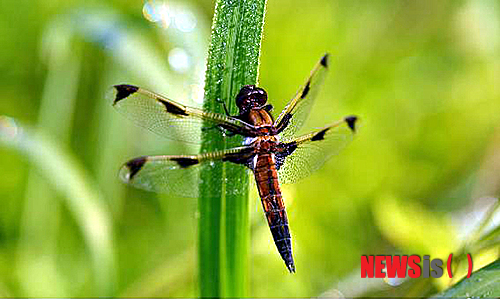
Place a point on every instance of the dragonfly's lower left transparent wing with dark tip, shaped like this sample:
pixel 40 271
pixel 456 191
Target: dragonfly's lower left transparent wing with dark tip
pixel 178 174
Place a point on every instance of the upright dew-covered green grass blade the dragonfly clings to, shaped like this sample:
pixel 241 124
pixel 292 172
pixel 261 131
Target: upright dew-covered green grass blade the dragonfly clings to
pixel 233 61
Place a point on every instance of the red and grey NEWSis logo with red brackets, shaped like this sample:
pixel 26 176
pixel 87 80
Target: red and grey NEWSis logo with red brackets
pixel 399 266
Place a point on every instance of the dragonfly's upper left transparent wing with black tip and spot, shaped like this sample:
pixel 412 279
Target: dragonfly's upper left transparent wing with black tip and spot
pixel 168 118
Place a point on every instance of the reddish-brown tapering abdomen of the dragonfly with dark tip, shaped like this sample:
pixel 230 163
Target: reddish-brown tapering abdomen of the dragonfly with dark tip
pixel 266 177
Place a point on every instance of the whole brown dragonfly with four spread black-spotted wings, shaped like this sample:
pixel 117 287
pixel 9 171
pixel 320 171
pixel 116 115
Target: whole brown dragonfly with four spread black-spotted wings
pixel 271 149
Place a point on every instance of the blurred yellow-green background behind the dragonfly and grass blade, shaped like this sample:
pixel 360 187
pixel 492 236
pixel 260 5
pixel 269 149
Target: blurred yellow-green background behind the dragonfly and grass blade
pixel 422 75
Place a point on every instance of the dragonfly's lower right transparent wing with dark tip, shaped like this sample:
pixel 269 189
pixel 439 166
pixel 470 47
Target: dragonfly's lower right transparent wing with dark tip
pixel 299 158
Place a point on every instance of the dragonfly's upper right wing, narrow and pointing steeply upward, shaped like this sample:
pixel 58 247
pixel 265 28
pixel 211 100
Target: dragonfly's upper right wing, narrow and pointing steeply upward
pixel 297 110
